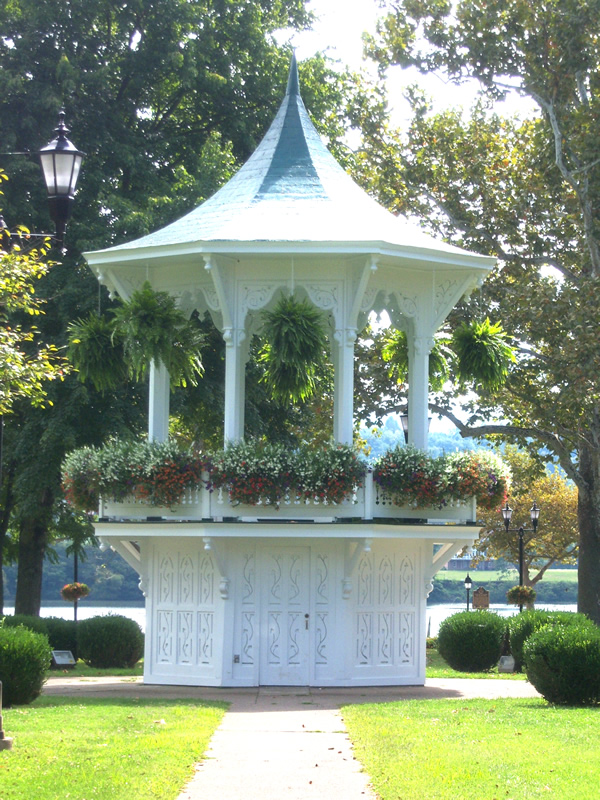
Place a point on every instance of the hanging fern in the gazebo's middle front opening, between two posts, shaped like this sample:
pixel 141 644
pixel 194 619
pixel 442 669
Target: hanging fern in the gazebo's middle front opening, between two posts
pixel 295 348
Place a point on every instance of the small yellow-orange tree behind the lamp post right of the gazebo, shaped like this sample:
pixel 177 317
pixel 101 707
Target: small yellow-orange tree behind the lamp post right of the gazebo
pixel 556 538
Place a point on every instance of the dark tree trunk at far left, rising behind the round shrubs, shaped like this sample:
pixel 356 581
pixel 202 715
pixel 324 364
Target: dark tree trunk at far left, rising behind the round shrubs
pixel 33 538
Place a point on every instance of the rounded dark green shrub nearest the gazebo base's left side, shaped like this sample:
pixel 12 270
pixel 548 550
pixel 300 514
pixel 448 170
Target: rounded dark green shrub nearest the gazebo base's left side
pixel 111 641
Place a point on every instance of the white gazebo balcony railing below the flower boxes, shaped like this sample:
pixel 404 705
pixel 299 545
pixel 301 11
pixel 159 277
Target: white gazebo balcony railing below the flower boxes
pixel 368 502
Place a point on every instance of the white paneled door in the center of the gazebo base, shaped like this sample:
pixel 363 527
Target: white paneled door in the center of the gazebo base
pixel 285 616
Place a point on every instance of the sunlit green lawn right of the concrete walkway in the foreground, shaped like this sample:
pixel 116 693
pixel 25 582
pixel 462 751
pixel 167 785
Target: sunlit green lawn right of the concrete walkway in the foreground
pixel 510 749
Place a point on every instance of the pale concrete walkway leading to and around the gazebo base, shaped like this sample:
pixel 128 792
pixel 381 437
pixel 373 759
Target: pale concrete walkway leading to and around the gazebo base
pixel 288 742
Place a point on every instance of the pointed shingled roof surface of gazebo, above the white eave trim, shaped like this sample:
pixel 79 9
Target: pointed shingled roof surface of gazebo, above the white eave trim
pixel 290 190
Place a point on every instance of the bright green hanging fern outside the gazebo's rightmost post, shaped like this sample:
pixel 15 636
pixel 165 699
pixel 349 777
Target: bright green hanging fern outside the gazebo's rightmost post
pixel 483 354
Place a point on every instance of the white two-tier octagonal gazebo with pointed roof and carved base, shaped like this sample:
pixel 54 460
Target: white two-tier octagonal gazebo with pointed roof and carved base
pixel 303 594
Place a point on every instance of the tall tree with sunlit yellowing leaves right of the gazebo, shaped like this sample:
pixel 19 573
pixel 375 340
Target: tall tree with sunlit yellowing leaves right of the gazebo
pixel 526 191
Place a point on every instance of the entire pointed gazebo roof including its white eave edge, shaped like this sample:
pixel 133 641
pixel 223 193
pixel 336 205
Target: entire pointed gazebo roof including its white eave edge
pixel 291 196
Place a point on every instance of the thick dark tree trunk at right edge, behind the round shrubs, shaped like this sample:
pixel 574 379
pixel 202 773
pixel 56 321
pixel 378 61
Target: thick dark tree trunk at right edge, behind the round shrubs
pixel 588 513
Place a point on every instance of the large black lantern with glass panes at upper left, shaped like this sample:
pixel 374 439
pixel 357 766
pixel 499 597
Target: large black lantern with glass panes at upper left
pixel 60 161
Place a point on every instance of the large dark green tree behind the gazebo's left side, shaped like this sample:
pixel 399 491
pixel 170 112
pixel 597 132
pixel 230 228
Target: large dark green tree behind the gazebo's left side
pixel 167 98
